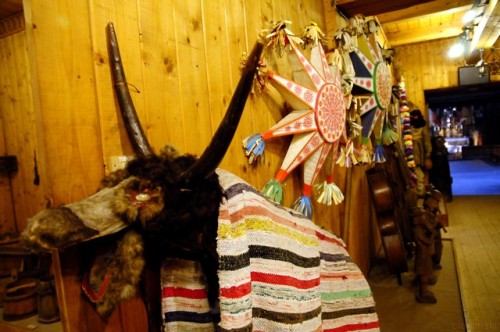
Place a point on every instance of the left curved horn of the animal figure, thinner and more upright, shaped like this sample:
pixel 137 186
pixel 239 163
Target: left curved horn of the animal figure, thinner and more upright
pixel 138 140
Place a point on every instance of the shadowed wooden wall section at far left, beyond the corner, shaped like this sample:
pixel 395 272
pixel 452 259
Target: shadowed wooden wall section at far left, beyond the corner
pixel 20 135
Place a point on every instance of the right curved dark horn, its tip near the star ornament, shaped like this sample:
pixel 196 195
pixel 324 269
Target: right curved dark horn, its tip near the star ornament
pixel 213 154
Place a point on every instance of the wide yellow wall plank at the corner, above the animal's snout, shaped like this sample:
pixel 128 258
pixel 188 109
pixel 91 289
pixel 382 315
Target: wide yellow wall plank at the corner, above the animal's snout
pixel 61 44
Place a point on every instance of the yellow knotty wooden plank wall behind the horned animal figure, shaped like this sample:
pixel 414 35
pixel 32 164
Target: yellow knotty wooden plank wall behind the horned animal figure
pixel 182 61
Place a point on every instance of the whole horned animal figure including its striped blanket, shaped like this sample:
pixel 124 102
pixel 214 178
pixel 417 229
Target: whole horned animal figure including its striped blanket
pixel 163 212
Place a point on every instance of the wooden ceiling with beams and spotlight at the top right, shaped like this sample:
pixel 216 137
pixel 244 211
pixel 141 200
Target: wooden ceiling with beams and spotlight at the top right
pixel 412 21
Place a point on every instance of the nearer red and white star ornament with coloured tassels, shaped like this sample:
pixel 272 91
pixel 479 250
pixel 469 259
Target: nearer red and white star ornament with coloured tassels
pixel 317 122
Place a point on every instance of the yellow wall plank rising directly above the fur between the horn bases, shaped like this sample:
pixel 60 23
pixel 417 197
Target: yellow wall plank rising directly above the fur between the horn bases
pixel 161 74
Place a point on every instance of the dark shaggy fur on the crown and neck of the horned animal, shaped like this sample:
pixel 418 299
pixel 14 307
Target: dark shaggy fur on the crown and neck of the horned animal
pixel 186 227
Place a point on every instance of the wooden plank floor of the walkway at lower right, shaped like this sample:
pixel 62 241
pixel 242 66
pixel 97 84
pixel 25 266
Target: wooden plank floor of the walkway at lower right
pixel 475 230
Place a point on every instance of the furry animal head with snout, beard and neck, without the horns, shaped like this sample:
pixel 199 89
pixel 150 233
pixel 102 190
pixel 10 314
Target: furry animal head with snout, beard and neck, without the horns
pixel 136 197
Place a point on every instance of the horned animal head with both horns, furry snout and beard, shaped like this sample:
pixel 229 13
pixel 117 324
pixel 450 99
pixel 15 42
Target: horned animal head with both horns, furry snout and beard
pixel 159 206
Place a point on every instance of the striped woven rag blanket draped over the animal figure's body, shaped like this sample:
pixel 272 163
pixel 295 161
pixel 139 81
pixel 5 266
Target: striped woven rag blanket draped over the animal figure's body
pixel 278 271
